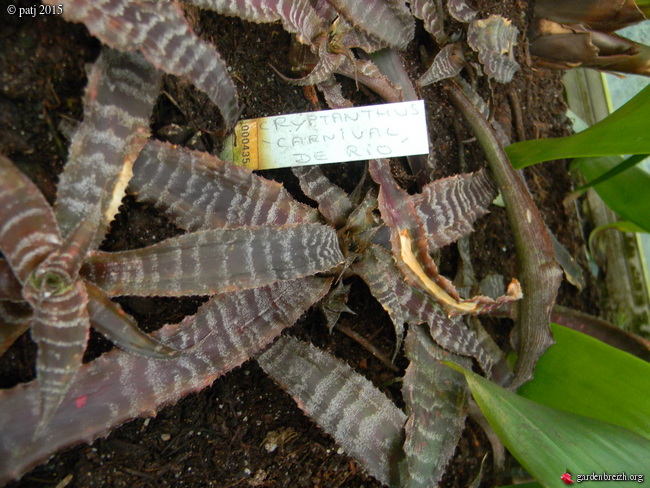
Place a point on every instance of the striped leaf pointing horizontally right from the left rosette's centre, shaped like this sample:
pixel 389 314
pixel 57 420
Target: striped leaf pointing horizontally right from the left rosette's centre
pixel 217 261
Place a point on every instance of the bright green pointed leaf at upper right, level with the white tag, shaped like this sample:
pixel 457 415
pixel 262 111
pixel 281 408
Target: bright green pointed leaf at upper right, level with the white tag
pixel 623 132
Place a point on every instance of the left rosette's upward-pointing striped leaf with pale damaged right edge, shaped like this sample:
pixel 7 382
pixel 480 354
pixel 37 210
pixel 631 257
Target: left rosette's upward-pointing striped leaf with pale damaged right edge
pixel 121 91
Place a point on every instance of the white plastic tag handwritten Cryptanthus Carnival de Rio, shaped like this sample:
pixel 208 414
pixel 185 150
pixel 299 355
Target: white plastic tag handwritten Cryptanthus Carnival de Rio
pixel 329 136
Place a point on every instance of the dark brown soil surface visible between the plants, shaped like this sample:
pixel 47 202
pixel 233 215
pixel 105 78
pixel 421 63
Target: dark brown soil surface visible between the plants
pixel 222 437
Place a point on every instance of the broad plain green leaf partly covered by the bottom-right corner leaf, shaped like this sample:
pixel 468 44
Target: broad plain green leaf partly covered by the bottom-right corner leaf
pixel 585 376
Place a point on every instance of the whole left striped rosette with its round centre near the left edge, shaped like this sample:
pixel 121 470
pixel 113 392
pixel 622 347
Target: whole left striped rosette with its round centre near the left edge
pixel 45 249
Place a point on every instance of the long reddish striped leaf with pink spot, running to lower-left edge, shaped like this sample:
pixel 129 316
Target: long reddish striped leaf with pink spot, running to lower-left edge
pixel 119 386
